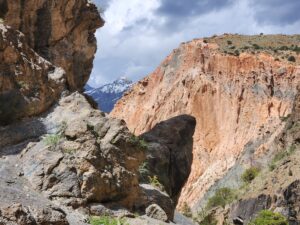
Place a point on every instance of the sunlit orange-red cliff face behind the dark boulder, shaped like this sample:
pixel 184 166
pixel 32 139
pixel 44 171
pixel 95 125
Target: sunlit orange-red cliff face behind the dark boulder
pixel 235 99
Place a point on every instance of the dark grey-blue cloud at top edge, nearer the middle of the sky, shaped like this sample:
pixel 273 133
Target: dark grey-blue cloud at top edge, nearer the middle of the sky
pixel 176 9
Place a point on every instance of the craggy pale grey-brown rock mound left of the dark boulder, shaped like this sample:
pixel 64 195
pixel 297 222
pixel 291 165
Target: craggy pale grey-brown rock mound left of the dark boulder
pixel 89 159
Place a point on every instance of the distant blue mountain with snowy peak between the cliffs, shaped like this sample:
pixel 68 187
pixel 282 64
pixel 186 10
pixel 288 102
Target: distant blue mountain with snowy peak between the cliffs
pixel 107 95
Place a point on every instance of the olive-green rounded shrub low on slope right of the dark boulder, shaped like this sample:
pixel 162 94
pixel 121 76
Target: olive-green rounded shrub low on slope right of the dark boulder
pixel 222 197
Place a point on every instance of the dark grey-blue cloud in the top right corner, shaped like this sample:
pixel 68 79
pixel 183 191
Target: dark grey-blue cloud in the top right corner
pixel 276 12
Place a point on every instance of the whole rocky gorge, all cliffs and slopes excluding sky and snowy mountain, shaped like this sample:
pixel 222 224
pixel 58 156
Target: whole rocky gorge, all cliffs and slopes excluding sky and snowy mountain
pixel 219 117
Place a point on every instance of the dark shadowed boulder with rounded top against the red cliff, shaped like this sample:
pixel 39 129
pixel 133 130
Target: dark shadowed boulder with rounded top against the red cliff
pixel 169 155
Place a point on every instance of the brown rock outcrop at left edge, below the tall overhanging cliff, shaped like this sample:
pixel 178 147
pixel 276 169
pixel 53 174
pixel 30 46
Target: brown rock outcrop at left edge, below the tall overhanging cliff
pixel 29 84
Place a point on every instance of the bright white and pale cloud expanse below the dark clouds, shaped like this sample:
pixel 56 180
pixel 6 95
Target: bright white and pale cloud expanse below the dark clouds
pixel 135 38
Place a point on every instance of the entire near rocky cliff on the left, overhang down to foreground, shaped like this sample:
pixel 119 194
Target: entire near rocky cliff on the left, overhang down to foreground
pixel 61 160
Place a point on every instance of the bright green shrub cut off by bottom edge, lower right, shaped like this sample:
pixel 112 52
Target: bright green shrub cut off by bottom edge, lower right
pixel 266 217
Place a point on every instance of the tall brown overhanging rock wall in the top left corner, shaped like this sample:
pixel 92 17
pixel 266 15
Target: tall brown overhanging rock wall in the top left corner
pixel 62 32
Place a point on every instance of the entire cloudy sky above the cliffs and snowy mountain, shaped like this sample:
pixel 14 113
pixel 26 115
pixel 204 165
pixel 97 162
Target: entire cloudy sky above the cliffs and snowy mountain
pixel 139 34
